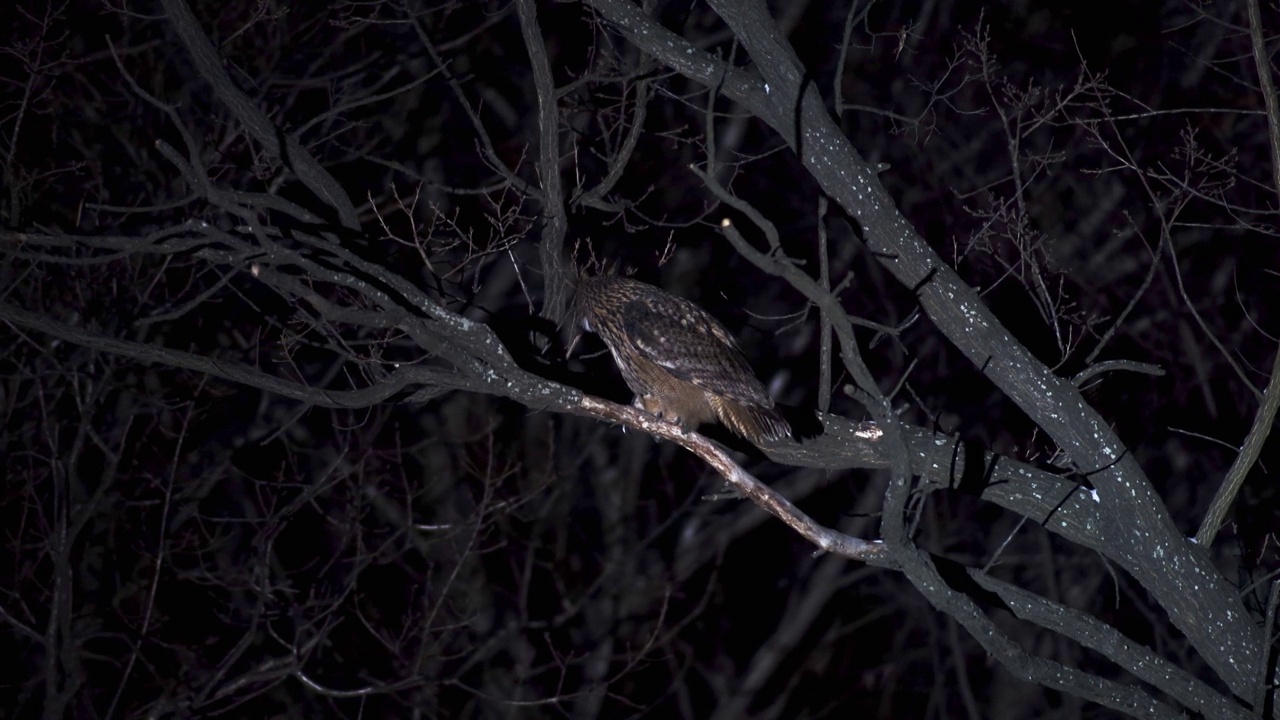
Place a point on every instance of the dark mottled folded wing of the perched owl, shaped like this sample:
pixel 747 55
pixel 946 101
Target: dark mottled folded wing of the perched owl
pixel 693 347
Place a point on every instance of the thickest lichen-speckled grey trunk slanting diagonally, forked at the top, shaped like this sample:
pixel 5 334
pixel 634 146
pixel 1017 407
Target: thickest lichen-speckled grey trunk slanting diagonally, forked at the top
pixel 1139 532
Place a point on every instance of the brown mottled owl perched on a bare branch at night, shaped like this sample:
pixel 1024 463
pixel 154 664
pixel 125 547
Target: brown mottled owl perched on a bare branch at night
pixel 679 361
